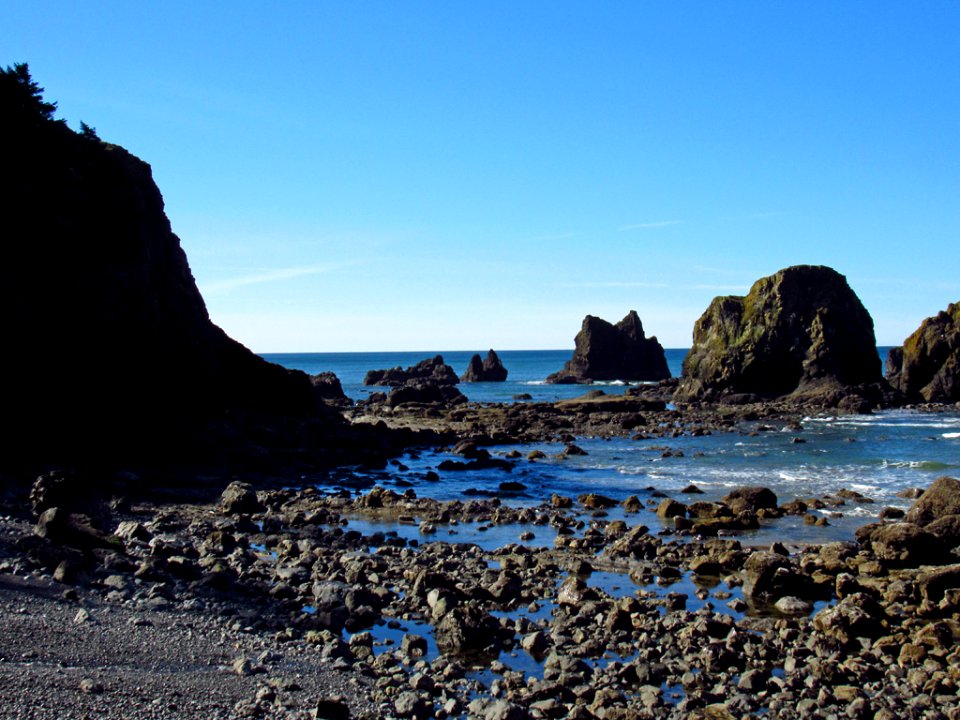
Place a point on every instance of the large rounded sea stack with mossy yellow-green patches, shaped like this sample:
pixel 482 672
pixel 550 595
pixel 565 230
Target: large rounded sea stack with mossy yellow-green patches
pixel 799 331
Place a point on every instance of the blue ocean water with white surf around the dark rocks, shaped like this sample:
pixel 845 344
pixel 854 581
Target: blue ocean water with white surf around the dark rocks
pixel 877 455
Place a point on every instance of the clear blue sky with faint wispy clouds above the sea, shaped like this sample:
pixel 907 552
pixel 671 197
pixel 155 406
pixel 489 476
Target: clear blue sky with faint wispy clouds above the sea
pixel 439 176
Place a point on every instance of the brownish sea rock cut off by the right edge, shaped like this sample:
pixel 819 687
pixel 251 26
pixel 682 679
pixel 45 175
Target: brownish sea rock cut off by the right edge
pixel 927 366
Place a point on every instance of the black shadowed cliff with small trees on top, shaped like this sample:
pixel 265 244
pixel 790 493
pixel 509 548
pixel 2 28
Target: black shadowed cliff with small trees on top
pixel 108 344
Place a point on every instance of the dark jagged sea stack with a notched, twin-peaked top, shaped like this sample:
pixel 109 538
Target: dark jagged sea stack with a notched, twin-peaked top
pixel 613 352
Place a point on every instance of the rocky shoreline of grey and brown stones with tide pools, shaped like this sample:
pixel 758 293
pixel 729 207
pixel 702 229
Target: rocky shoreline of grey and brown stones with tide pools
pixel 267 604
